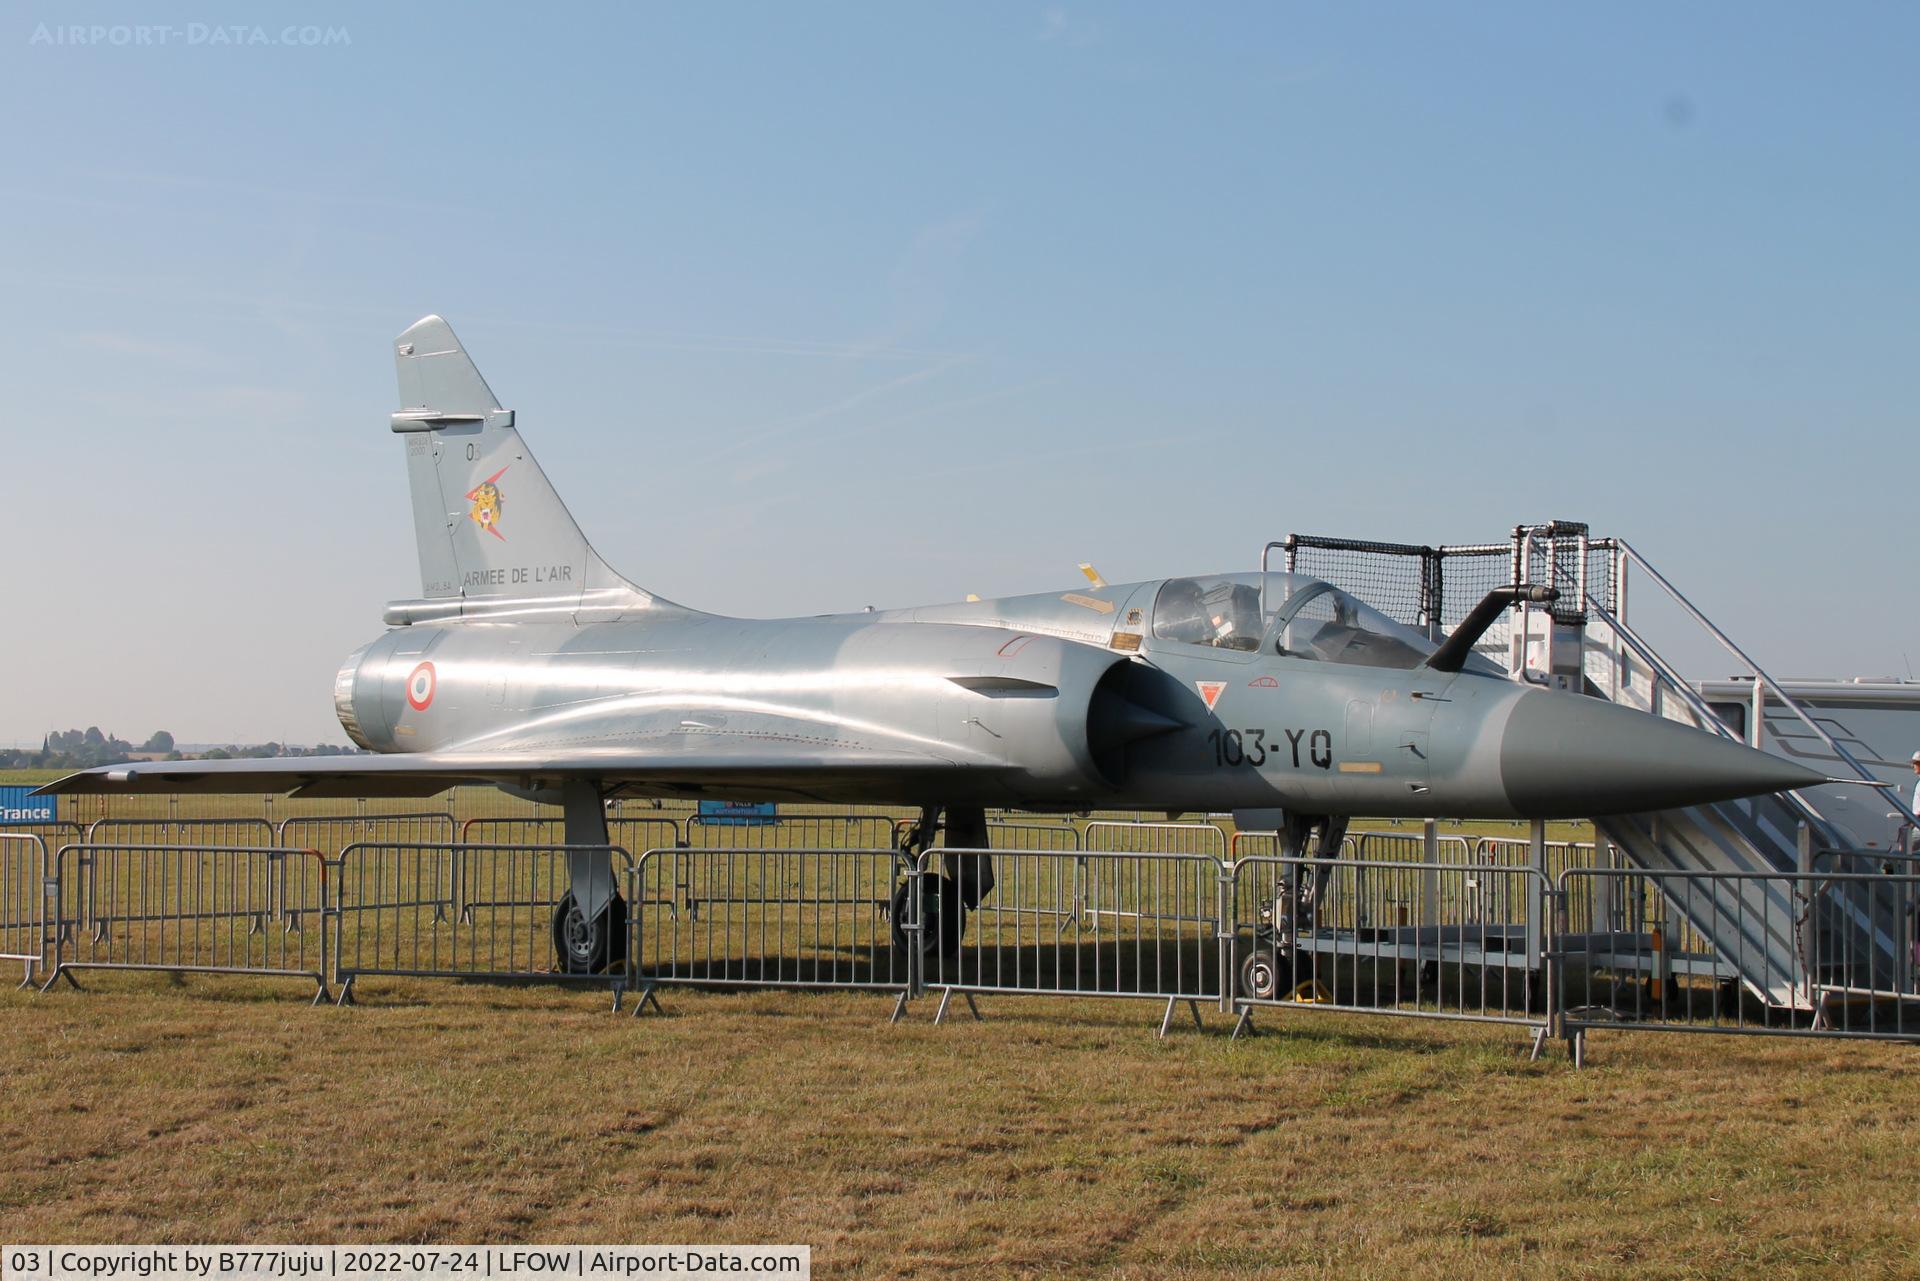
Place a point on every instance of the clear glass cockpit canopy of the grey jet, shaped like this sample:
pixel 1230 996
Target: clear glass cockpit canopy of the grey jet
pixel 1291 616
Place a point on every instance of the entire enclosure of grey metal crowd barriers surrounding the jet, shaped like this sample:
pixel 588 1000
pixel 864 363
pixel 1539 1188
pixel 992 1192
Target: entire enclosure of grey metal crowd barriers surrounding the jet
pixel 1476 934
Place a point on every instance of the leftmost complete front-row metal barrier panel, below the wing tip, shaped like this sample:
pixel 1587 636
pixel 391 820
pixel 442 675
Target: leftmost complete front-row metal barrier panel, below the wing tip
pixel 210 909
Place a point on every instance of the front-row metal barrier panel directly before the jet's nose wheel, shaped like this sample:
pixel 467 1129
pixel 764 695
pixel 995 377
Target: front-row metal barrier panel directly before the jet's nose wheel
pixel 1435 940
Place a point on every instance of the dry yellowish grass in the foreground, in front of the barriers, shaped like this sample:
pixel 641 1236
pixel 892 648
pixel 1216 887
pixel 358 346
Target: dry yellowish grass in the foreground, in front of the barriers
pixel 1055 1140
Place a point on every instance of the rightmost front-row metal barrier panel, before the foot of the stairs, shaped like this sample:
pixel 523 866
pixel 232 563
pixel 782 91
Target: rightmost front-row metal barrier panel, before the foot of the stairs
pixel 1800 954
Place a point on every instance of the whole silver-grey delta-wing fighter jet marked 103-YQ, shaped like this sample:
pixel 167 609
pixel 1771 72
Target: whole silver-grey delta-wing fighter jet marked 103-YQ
pixel 533 665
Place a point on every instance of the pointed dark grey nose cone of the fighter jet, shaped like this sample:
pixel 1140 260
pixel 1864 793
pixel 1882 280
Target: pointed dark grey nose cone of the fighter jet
pixel 1568 756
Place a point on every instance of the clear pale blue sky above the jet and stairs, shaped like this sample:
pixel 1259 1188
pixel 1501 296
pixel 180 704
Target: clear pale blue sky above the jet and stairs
pixel 821 306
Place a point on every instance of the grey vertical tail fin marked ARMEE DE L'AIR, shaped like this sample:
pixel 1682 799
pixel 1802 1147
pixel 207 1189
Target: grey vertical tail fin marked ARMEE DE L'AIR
pixel 494 537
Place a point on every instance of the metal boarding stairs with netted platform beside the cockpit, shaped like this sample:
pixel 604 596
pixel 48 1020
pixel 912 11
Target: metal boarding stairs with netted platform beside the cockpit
pixel 1744 879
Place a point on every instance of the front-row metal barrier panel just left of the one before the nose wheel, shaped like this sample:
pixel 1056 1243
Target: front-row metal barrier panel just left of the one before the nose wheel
pixel 1082 925
